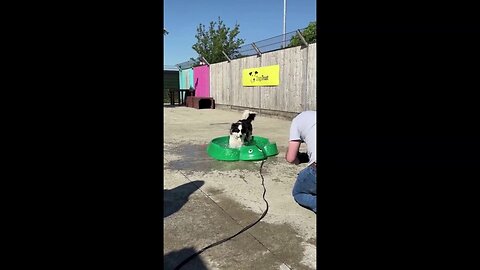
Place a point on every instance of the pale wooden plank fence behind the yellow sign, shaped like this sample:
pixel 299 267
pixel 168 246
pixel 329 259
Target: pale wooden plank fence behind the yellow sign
pixel 295 93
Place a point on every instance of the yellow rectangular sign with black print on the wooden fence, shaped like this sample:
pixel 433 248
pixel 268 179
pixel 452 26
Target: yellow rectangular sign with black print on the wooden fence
pixel 261 76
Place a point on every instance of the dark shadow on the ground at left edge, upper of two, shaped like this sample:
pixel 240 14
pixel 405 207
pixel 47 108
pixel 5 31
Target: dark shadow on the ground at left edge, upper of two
pixel 174 199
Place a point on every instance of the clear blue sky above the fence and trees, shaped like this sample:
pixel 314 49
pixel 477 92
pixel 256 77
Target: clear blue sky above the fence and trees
pixel 258 20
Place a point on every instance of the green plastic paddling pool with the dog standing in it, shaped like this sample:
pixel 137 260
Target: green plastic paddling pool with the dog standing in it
pixel 258 149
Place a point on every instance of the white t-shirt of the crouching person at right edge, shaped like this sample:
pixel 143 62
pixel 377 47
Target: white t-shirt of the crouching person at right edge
pixel 304 128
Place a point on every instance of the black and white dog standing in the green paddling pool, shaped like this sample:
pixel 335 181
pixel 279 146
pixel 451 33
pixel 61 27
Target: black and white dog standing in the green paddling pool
pixel 242 130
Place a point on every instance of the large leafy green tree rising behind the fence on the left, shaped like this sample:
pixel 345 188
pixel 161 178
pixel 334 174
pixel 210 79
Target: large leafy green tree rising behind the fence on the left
pixel 218 38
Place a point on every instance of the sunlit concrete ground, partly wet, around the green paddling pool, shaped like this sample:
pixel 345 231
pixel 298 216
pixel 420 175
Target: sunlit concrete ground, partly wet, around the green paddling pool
pixel 207 200
